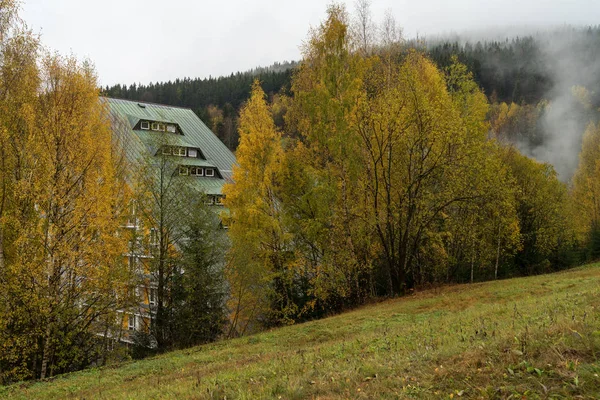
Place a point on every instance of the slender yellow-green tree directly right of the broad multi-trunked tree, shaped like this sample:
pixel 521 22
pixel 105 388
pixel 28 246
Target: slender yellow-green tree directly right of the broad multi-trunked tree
pixel 487 225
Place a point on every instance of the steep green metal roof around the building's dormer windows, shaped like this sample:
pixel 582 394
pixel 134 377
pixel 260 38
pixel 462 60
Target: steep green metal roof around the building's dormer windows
pixel 126 114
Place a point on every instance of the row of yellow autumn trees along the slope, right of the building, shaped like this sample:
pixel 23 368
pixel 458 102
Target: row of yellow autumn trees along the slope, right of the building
pixel 386 176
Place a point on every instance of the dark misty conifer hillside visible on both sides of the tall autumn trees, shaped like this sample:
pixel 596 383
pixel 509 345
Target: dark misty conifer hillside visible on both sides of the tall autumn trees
pixel 536 71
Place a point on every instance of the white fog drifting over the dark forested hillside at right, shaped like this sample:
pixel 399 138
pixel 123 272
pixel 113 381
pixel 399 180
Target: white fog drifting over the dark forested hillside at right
pixel 568 57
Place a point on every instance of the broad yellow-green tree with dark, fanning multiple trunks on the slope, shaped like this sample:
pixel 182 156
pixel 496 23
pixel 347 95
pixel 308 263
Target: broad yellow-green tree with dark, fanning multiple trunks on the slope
pixel 424 144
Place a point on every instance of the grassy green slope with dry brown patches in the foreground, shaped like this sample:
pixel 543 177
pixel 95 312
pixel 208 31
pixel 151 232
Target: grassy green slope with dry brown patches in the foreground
pixel 533 337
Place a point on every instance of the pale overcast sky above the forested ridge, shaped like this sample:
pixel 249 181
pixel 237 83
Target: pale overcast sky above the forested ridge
pixel 157 40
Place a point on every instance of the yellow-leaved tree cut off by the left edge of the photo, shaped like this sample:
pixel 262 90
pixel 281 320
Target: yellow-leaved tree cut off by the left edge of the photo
pixel 19 81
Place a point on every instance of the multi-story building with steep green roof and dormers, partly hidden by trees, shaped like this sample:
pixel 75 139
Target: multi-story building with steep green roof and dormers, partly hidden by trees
pixel 195 155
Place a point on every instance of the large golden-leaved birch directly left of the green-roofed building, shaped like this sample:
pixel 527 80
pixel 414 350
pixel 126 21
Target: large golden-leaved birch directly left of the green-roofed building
pixel 64 275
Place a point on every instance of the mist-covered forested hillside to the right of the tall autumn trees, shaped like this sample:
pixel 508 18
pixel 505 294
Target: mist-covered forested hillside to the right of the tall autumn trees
pixel 544 70
